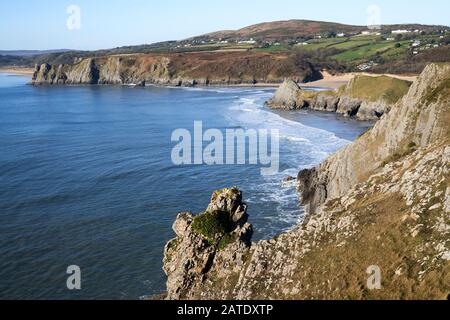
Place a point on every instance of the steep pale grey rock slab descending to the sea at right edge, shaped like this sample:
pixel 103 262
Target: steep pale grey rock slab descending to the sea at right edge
pixel 417 121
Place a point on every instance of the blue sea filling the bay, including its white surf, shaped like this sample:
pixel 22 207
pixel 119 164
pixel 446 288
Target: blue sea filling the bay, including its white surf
pixel 86 179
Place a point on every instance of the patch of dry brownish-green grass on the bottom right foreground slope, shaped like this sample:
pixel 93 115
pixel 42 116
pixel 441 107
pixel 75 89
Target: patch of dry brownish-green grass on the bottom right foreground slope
pixel 382 240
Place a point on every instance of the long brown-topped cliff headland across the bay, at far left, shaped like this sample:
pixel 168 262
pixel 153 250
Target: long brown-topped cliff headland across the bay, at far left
pixel 188 69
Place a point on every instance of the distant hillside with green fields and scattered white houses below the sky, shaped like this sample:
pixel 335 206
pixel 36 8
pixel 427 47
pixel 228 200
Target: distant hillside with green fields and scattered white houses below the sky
pixel 332 46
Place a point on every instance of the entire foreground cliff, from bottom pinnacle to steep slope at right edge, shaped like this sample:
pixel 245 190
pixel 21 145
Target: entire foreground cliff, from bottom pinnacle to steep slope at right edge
pixel 383 202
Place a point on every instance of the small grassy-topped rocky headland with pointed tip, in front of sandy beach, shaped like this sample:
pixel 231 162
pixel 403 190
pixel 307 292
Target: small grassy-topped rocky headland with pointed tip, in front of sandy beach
pixel 365 97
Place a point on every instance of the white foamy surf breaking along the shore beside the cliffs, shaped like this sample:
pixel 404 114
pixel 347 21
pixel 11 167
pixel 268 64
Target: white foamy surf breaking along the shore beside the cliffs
pixel 301 146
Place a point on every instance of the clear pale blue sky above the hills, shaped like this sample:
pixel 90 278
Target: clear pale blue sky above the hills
pixel 31 24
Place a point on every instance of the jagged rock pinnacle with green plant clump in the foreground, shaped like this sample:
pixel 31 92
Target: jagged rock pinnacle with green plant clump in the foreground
pixel 217 240
